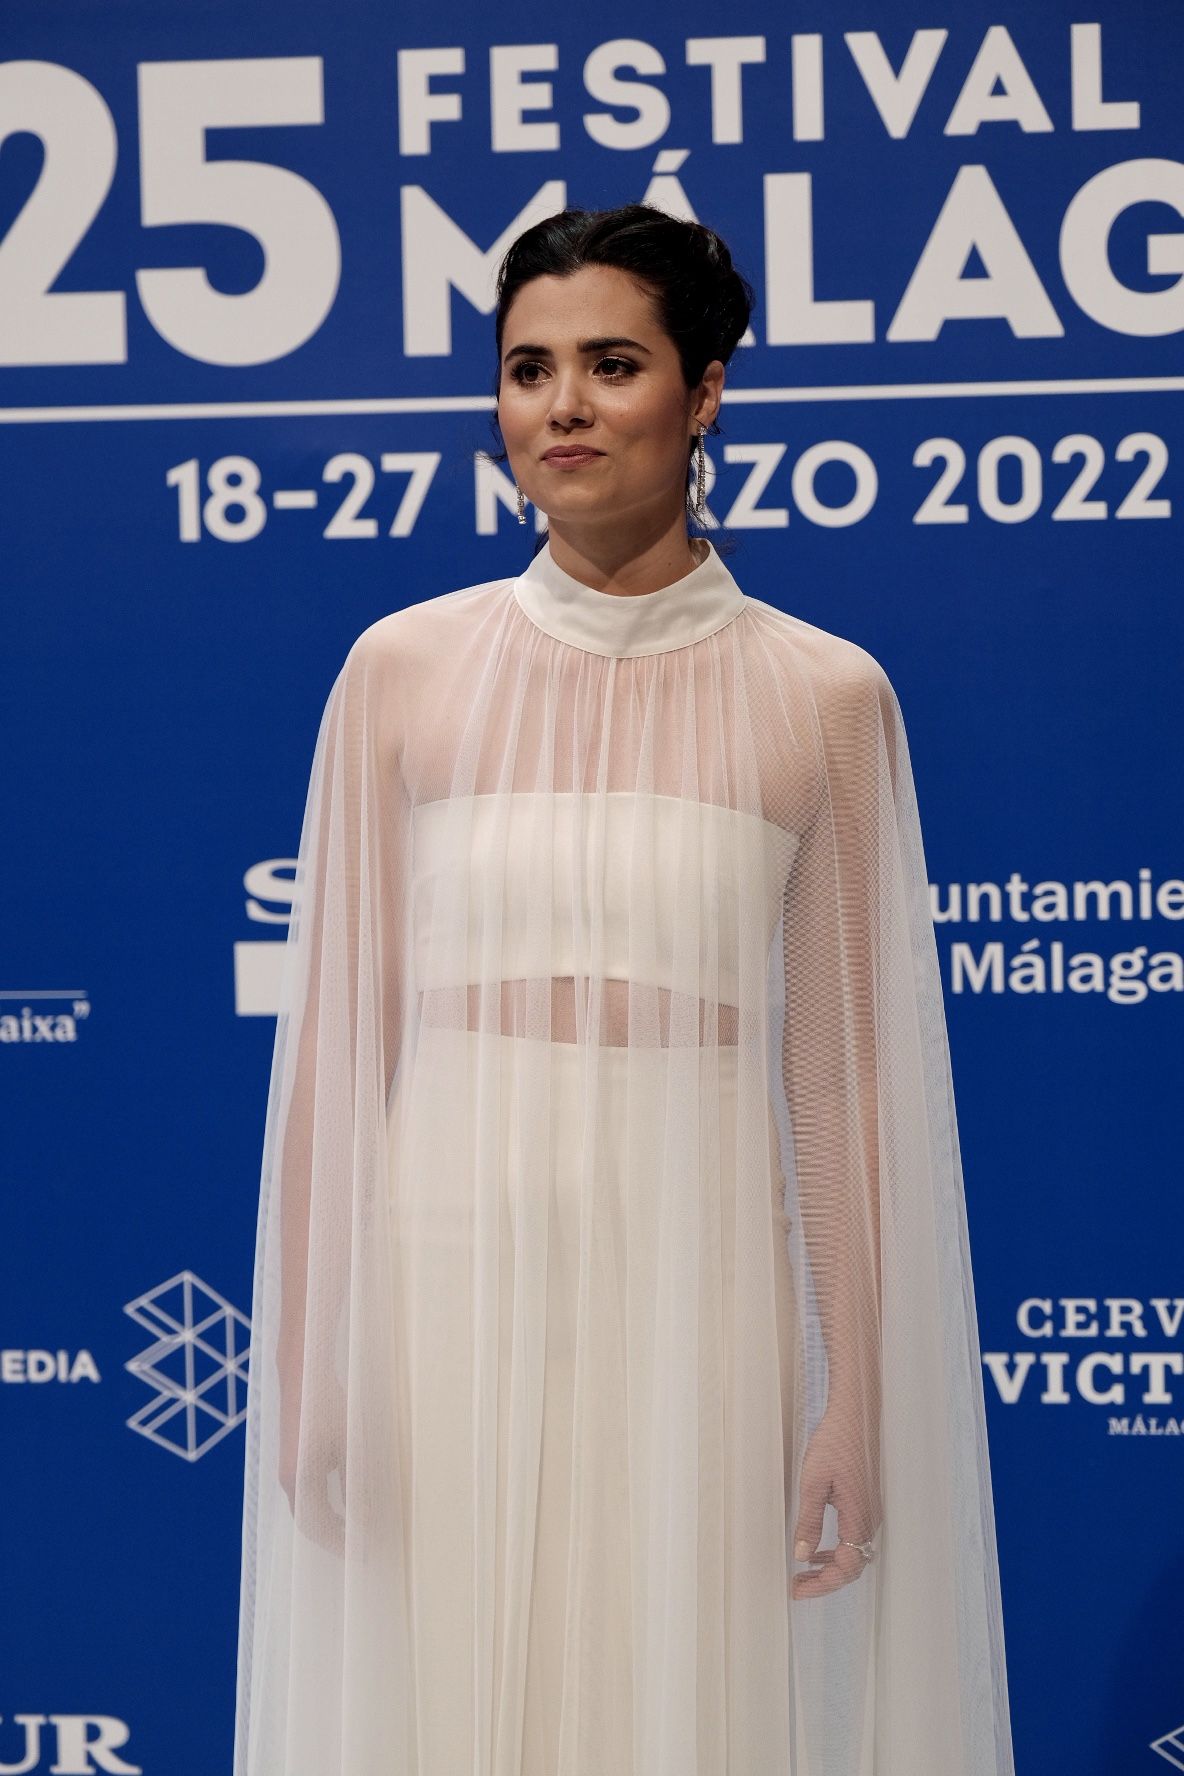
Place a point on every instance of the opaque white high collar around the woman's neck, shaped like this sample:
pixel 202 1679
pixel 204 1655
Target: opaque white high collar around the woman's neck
pixel 629 624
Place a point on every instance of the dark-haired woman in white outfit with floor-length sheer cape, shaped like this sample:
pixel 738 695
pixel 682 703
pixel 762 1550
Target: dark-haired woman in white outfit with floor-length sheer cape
pixel 617 1402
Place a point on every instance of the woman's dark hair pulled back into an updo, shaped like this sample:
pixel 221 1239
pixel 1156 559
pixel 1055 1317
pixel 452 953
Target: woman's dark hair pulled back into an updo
pixel 700 297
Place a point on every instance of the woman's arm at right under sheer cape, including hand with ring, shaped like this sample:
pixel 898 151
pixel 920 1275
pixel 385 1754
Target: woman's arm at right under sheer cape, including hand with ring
pixel 830 1063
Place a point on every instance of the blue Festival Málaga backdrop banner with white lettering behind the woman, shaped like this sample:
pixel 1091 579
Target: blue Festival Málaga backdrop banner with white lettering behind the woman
pixel 246 370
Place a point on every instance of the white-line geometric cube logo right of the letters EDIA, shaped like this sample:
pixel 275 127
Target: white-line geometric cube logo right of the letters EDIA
pixel 196 1365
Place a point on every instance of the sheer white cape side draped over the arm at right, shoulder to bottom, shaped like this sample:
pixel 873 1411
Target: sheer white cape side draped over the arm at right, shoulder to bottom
pixel 896 1420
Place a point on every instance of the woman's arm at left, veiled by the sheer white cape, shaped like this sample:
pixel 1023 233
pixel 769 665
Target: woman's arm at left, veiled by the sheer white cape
pixel 347 1017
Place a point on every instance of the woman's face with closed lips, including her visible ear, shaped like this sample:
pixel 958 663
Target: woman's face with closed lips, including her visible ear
pixel 594 408
